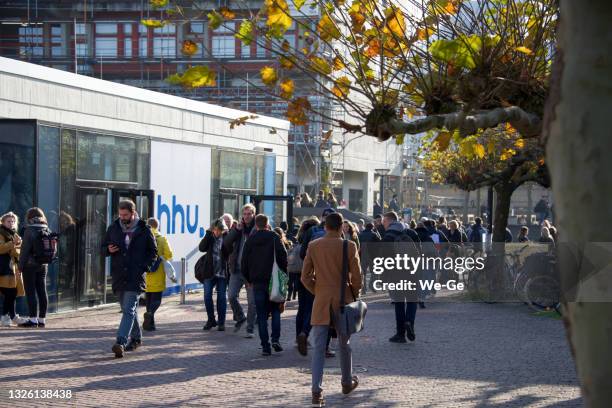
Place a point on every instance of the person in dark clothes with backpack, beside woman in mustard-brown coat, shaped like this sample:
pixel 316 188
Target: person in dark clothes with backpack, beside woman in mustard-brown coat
pixel 38 249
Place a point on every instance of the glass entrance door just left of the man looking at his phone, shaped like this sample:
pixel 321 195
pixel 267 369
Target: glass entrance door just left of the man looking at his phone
pixel 91 229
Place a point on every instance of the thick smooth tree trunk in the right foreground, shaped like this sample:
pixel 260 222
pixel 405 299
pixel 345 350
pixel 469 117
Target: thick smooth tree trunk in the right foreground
pixel 578 146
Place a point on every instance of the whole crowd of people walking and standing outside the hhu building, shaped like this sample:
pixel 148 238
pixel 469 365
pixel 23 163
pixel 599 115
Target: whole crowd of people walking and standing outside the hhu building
pixel 242 253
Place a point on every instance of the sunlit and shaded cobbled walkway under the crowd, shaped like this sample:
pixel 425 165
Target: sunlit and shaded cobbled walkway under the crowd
pixel 466 354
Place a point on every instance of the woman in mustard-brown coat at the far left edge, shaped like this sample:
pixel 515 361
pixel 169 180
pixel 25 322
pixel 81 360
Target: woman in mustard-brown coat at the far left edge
pixel 11 282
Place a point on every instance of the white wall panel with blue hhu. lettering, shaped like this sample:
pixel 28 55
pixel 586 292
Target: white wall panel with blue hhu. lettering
pixel 180 177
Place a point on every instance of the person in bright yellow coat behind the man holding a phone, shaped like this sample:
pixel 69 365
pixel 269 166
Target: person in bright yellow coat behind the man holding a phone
pixel 156 280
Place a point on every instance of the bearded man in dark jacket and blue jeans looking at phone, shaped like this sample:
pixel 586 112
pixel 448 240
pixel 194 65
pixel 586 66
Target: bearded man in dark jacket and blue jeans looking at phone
pixel 133 251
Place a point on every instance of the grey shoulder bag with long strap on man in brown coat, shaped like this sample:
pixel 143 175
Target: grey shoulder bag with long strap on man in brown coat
pixel 350 318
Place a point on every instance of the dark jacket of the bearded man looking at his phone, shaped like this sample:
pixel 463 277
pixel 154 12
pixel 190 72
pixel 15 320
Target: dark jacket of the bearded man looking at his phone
pixel 129 265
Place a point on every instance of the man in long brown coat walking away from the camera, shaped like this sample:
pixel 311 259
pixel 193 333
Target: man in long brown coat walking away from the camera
pixel 322 275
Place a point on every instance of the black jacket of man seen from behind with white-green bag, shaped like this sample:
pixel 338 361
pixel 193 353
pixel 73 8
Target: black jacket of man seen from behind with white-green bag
pixel 257 259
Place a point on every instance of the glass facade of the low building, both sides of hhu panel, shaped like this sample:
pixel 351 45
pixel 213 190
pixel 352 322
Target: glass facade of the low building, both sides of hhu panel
pixel 78 177
